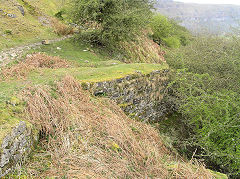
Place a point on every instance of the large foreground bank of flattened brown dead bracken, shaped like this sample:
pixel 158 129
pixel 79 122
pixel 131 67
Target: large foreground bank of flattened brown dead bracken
pixel 89 137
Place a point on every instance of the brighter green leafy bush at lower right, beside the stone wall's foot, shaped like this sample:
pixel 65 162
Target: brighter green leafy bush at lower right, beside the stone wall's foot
pixel 213 116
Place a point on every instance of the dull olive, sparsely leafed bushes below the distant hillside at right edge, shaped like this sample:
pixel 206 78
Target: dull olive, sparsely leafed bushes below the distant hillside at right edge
pixel 218 57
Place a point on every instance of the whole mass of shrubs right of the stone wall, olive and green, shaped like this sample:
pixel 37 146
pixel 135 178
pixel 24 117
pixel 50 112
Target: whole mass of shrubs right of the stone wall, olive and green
pixel 206 92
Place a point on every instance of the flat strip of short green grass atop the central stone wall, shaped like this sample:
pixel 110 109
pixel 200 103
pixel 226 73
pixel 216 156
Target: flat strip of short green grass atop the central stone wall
pixel 86 74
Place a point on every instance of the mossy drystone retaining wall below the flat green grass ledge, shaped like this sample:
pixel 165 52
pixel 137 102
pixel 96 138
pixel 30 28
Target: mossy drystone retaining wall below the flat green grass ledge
pixel 140 96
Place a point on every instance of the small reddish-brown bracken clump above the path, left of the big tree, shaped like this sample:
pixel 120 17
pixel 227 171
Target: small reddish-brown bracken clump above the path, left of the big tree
pixel 60 28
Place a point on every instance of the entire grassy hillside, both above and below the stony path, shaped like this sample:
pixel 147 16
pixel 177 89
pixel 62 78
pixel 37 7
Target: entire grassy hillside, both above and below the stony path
pixel 81 135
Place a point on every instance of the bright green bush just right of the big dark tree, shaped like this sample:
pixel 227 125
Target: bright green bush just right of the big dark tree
pixel 168 32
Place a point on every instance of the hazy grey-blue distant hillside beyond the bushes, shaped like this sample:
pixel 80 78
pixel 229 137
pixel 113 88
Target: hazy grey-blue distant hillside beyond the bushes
pixel 217 19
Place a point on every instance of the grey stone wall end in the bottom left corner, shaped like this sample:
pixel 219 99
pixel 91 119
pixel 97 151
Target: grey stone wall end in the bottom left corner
pixel 15 146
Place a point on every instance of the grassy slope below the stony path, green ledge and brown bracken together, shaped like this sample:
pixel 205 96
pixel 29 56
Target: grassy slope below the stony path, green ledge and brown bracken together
pixel 105 142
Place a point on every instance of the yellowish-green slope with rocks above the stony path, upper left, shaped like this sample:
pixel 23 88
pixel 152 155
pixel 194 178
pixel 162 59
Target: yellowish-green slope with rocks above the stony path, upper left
pixel 33 26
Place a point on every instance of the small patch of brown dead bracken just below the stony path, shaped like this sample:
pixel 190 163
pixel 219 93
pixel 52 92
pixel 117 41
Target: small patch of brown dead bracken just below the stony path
pixel 34 61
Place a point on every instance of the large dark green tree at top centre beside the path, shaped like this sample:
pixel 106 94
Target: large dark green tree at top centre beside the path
pixel 111 21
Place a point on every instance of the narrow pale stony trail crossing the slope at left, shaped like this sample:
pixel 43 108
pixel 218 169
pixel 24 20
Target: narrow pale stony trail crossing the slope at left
pixel 14 53
